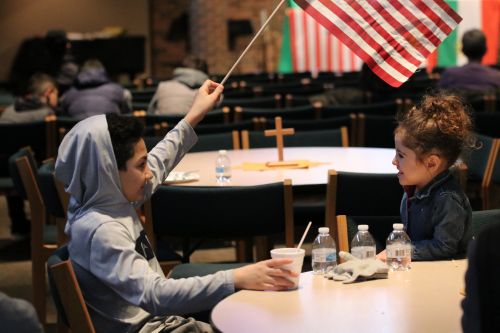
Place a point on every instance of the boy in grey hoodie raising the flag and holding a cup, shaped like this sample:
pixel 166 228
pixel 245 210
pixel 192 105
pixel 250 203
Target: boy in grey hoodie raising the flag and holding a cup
pixel 104 166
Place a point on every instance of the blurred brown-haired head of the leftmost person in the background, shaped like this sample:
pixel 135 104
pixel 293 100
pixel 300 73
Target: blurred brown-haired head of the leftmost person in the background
pixel 42 88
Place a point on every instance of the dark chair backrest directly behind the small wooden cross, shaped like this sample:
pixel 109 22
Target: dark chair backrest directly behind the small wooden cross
pixel 320 138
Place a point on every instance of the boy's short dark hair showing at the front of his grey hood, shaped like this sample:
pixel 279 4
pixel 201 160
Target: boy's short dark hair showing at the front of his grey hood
pixel 125 132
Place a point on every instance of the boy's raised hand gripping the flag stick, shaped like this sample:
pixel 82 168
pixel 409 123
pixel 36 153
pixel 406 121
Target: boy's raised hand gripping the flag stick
pixel 204 101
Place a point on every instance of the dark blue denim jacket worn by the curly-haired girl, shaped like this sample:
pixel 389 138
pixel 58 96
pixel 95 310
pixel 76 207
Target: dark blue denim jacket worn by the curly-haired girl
pixel 438 219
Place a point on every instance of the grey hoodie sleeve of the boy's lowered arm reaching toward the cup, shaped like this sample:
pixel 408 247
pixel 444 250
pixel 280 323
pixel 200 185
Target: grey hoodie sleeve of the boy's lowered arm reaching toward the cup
pixel 117 263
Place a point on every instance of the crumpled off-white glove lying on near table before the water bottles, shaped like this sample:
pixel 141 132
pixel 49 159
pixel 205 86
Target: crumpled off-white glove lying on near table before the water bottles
pixel 354 269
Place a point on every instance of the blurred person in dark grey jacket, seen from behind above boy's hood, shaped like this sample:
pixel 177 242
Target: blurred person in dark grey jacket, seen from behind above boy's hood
pixel 93 93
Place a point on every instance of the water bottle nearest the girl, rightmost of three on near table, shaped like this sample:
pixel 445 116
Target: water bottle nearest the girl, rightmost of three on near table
pixel 398 249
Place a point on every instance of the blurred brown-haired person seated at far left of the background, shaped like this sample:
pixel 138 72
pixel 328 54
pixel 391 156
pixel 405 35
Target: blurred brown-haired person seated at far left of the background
pixel 39 101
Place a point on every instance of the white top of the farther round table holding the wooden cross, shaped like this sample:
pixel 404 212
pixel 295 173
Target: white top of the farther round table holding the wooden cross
pixel 352 159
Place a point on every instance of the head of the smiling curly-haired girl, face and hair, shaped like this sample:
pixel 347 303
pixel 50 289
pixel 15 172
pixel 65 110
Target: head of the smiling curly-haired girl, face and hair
pixel 430 138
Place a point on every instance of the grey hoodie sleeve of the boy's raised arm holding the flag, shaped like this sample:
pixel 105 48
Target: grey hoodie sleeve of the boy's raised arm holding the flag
pixel 169 151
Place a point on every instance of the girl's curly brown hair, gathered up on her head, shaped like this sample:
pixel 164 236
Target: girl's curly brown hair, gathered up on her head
pixel 440 124
